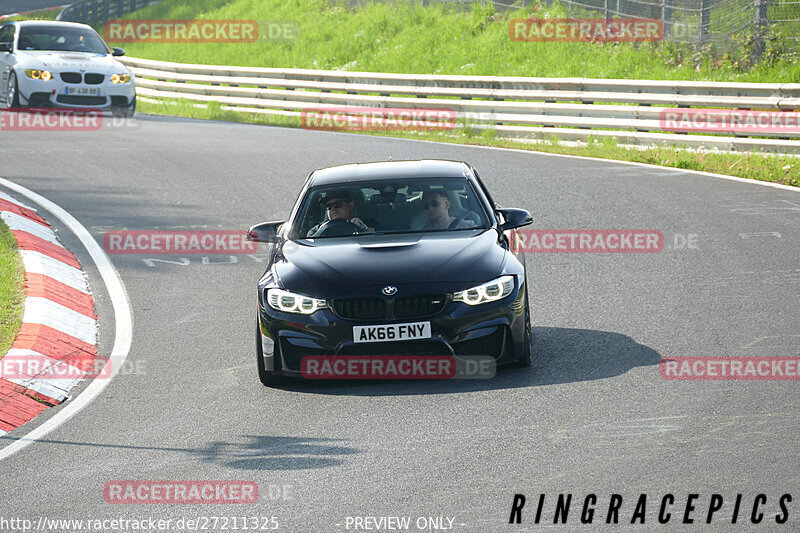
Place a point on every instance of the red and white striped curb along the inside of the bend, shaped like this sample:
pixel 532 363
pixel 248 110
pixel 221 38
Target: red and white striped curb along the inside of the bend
pixel 59 324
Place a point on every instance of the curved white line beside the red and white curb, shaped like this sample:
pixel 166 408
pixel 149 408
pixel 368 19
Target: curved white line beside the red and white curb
pixel 123 320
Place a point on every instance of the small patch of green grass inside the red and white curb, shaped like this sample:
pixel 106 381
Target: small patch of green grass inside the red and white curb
pixel 12 289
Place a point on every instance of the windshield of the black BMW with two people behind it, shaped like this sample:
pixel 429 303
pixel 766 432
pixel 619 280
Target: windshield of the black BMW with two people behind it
pixel 390 207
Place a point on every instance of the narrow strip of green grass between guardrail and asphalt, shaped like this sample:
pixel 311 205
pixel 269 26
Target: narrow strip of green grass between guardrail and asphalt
pixel 771 168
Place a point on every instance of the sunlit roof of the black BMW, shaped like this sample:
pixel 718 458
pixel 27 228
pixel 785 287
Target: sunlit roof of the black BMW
pixel 425 168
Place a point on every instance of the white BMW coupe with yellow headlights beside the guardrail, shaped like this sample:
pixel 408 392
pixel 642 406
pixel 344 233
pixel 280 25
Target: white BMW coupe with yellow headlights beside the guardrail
pixel 64 65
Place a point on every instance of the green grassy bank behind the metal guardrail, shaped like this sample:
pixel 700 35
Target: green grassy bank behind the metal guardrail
pixel 399 37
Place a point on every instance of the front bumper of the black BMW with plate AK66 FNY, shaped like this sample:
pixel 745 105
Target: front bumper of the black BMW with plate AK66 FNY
pixel 495 329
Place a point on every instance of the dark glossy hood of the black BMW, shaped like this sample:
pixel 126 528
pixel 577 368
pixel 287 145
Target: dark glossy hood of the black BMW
pixel 326 266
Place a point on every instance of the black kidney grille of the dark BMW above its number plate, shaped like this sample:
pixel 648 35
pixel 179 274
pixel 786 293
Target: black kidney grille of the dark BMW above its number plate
pixel 375 308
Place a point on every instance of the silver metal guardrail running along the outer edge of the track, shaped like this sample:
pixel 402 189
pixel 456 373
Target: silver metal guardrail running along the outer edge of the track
pixel 572 109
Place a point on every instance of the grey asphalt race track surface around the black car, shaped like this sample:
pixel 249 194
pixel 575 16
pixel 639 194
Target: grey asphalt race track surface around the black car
pixel 592 415
